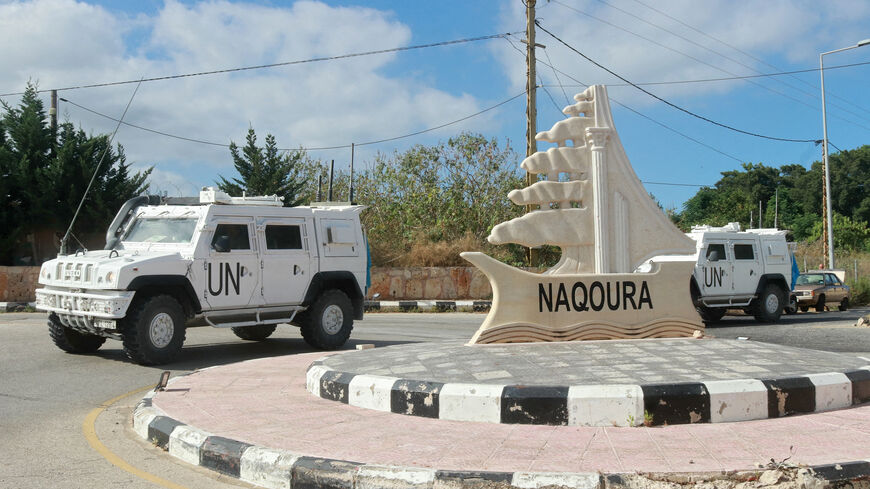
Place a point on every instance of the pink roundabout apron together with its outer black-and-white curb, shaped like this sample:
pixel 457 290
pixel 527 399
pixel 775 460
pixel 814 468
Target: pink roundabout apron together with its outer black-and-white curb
pixel 255 420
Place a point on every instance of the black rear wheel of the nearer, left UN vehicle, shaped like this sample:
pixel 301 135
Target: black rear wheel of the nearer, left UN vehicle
pixel 329 321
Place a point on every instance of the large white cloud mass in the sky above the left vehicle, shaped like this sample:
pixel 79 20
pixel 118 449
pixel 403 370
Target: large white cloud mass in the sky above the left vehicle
pixel 65 42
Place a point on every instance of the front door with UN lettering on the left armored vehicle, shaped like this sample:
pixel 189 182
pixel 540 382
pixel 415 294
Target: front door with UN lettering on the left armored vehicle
pixel 232 269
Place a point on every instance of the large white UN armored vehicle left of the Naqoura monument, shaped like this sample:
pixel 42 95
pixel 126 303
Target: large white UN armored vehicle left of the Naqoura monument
pixel 245 263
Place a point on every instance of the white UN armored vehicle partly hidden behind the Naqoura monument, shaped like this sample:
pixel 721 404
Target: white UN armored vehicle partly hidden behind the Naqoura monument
pixel 750 270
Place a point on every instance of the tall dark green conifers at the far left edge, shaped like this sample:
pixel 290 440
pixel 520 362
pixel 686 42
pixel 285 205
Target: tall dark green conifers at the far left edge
pixel 43 179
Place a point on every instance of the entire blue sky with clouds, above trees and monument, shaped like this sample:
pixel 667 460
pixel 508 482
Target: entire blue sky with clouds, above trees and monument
pixel 62 43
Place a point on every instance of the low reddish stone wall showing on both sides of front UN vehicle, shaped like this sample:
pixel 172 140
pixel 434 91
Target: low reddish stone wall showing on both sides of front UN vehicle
pixel 17 284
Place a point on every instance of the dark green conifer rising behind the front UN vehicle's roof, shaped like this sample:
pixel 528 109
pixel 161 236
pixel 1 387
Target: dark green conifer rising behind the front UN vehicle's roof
pixel 265 171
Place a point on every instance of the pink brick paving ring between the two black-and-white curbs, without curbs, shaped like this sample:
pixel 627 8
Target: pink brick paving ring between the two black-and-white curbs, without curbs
pixel 265 403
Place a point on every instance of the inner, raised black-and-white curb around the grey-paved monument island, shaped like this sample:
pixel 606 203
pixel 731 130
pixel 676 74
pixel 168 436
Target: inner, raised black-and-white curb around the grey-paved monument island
pixel 594 405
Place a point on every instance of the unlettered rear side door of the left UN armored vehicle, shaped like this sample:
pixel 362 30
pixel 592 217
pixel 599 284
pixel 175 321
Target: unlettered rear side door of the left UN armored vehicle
pixel 285 261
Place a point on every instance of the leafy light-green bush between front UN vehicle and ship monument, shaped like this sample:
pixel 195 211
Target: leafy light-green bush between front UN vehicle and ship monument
pixel 438 194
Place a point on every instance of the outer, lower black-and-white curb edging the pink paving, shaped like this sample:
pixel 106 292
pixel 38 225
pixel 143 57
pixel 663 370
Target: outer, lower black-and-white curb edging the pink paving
pixel 271 468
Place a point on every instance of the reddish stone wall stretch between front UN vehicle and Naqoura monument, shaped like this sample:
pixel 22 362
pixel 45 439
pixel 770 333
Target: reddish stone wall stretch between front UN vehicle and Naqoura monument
pixel 440 283
